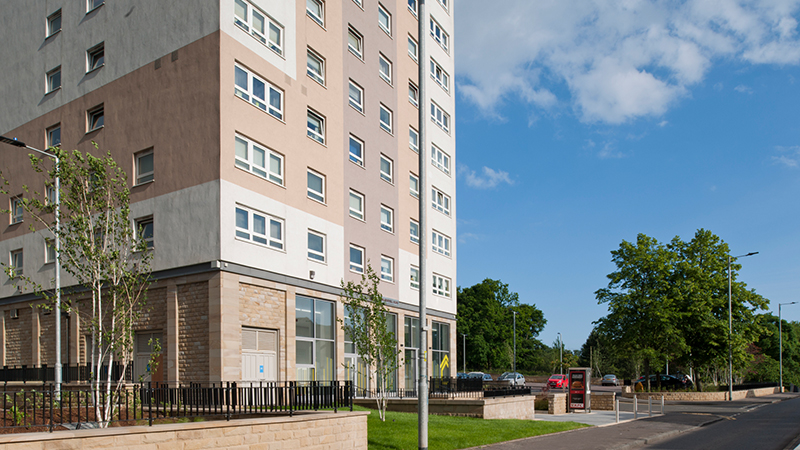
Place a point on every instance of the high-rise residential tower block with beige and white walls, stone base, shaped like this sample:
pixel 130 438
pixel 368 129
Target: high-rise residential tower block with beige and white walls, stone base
pixel 271 149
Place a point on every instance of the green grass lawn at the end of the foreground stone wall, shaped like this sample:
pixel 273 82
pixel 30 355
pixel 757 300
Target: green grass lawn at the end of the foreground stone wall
pixel 399 432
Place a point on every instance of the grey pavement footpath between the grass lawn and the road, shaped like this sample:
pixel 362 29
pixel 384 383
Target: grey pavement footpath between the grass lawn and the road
pixel 606 434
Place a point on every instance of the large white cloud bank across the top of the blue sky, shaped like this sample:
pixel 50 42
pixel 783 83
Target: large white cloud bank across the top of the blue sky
pixel 619 60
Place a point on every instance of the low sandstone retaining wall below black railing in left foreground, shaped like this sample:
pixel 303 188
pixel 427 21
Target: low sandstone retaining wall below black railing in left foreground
pixel 317 431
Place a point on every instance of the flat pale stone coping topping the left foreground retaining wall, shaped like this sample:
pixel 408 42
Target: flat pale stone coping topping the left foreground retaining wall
pixel 20 438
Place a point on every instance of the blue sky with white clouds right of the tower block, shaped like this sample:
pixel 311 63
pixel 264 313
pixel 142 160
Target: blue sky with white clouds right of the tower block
pixel 581 124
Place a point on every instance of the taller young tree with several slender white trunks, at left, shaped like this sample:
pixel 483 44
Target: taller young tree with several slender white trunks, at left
pixel 105 254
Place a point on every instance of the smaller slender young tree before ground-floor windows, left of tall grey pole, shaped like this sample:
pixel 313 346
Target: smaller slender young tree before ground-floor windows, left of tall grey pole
pixel 368 329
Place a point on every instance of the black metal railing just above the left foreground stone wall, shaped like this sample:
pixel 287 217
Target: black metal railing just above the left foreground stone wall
pixel 72 408
